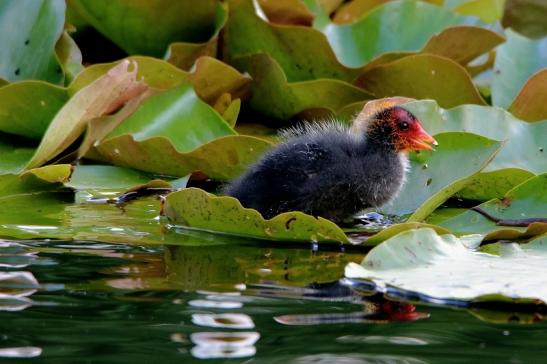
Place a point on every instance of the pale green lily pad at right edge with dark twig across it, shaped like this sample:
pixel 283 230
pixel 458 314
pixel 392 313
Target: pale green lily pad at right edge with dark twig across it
pixel 527 200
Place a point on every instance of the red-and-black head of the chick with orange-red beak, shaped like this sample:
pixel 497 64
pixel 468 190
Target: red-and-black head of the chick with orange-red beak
pixel 388 124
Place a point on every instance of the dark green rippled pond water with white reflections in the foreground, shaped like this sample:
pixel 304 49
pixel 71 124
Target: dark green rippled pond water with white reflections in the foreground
pixel 198 297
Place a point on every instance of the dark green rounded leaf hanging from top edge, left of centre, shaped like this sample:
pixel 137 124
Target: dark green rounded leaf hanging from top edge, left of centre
pixel 181 20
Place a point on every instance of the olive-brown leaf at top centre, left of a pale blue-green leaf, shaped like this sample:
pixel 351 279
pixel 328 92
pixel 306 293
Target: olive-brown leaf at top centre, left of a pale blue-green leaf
pixel 294 48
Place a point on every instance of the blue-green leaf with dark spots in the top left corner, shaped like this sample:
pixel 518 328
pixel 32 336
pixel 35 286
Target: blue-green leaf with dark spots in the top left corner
pixel 29 30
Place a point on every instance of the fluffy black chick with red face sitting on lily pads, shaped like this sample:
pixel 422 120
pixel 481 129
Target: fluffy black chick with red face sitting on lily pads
pixel 333 170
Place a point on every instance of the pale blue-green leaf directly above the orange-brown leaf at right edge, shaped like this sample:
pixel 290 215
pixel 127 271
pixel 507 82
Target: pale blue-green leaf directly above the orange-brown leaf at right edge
pixel 516 60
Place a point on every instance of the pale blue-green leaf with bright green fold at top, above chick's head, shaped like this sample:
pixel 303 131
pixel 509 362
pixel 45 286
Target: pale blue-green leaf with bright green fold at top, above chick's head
pixel 401 25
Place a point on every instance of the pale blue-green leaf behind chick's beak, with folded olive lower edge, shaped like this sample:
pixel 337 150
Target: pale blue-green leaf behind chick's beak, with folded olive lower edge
pixel 522 155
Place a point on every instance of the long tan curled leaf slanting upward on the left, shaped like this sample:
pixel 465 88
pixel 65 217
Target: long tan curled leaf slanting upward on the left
pixel 104 95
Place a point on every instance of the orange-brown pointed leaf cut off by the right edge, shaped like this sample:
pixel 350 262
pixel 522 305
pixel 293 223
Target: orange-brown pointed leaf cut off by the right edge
pixel 529 105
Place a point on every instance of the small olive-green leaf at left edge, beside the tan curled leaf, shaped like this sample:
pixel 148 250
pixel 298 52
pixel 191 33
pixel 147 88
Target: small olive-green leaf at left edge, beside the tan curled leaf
pixel 28 107
